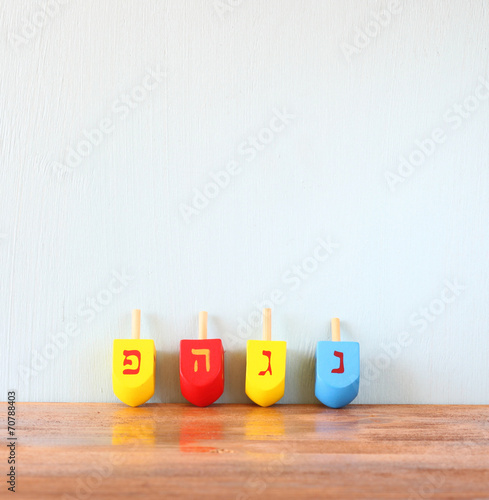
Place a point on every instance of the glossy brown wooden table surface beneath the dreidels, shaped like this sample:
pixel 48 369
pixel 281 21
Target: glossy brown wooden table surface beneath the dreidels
pixel 242 451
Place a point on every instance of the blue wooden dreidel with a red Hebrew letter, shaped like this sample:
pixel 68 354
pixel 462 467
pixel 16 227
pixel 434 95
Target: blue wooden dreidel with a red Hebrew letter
pixel 337 370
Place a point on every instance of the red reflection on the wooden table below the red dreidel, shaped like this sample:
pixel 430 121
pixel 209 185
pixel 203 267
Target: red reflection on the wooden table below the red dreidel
pixel 198 426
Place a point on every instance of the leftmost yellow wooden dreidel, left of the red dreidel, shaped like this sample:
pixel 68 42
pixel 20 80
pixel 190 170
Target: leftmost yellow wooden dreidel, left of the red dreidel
pixel 133 366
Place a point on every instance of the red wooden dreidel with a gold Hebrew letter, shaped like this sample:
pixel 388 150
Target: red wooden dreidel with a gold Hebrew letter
pixel 202 367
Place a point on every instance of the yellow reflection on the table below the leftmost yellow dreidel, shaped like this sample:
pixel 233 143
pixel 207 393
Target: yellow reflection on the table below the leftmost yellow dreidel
pixel 133 425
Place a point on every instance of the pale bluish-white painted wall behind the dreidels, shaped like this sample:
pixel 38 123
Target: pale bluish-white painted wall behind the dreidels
pixel 359 103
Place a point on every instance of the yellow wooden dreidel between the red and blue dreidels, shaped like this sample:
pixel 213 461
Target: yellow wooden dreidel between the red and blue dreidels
pixel 265 366
